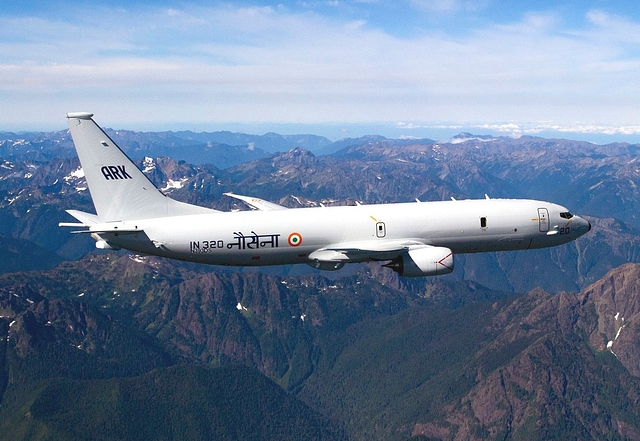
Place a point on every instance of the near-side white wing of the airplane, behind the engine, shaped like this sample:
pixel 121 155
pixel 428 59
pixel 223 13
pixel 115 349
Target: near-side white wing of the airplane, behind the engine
pixel 364 251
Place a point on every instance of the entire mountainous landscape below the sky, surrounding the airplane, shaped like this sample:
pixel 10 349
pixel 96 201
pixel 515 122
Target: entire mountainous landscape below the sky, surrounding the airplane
pixel 522 345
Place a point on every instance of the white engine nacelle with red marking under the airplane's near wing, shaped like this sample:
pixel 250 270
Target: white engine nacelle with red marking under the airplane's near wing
pixel 423 261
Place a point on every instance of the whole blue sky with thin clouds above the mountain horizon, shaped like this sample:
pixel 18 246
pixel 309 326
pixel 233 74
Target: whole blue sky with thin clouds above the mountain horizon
pixel 402 68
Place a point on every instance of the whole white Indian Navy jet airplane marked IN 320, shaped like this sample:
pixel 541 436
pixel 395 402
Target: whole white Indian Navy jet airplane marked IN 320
pixel 414 239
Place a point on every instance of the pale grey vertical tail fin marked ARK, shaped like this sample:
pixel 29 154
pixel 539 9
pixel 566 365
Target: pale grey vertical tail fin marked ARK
pixel 120 191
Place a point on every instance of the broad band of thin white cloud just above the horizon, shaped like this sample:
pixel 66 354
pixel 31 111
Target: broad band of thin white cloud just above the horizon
pixel 273 64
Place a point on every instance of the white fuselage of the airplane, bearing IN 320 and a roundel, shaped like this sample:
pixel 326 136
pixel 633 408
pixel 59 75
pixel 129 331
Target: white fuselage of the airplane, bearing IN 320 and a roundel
pixel 292 236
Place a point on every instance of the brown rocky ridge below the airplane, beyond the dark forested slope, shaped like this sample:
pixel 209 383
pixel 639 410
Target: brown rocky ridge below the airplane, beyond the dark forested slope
pixel 448 360
